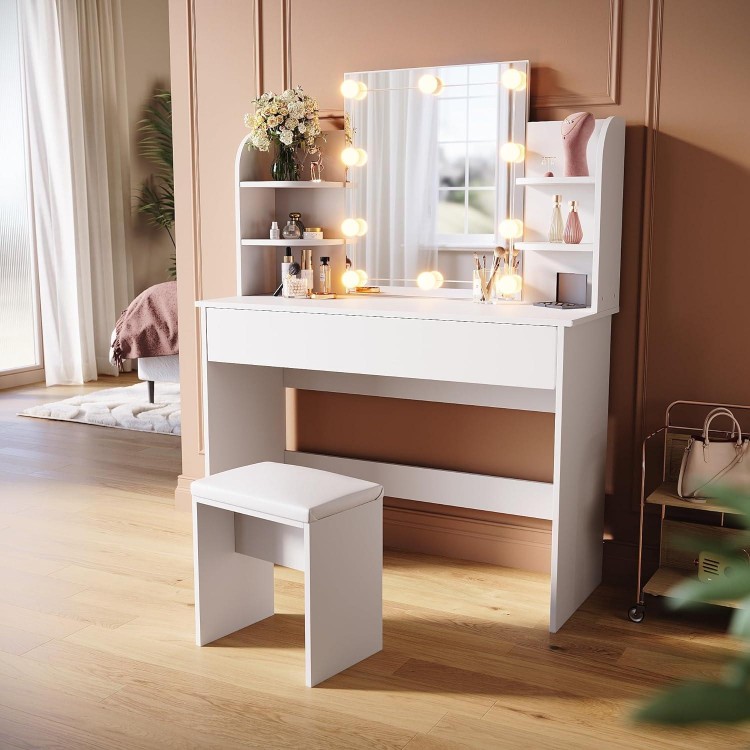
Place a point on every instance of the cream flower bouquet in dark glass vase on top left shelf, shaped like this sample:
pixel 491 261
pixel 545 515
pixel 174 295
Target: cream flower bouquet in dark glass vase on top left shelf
pixel 289 121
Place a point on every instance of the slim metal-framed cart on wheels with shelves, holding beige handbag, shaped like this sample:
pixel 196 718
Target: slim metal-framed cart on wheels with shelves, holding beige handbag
pixel 675 563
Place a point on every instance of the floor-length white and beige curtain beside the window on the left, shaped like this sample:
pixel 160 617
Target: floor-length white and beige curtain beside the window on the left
pixel 77 142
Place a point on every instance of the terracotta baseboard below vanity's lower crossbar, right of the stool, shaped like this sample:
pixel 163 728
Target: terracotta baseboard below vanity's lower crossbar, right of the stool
pixel 494 538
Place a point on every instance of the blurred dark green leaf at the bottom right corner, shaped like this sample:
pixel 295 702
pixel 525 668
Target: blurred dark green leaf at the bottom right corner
pixel 695 702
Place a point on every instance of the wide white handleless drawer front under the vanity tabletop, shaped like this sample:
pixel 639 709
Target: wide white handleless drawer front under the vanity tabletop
pixel 462 352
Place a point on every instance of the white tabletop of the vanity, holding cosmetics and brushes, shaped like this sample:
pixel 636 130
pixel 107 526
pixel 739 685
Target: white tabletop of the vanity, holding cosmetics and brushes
pixel 427 308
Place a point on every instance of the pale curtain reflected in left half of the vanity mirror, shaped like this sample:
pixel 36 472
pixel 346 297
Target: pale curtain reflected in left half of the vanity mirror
pixel 400 188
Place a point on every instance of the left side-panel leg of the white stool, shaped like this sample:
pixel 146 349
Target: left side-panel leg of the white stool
pixel 232 590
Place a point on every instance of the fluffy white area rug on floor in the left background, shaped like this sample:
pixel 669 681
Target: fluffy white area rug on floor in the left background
pixel 126 408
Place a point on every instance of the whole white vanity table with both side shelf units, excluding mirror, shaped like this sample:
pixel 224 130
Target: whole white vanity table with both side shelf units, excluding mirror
pixel 515 356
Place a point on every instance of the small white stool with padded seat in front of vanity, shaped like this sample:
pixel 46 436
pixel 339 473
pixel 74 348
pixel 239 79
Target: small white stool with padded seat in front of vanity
pixel 327 525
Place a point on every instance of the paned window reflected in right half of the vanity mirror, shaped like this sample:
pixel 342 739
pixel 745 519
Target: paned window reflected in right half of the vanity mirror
pixel 467 155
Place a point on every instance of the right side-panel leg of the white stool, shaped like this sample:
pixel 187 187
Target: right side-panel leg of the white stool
pixel 343 590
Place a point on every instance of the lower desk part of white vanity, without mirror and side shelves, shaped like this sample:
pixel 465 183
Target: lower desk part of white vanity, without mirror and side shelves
pixel 514 356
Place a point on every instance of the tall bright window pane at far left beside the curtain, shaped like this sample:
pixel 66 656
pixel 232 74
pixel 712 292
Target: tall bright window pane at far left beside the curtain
pixel 19 340
